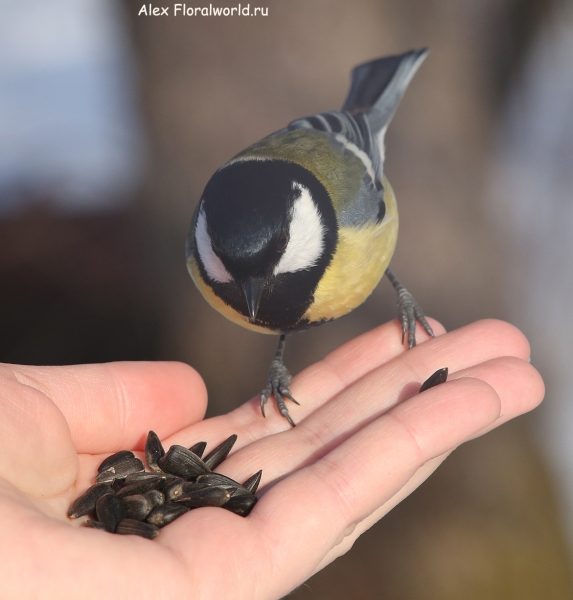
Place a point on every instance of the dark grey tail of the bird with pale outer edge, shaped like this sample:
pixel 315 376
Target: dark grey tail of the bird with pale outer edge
pixel 378 86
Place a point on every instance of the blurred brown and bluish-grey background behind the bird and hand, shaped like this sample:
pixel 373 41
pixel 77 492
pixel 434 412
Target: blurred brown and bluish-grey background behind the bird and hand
pixel 111 123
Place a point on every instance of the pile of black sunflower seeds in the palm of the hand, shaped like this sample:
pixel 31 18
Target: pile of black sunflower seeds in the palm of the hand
pixel 127 499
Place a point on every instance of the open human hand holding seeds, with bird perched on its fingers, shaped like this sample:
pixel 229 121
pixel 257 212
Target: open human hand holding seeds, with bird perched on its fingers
pixel 364 440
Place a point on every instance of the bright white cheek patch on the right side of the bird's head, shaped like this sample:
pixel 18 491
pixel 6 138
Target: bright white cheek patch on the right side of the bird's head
pixel 306 235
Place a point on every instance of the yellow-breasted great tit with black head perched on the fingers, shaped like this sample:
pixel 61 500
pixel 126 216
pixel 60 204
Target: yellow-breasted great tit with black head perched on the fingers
pixel 299 228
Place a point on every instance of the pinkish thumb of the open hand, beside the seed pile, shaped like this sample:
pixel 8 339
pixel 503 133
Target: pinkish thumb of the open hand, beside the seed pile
pixel 112 406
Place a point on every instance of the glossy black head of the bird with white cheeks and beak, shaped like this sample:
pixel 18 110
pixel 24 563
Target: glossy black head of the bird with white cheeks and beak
pixel 264 233
